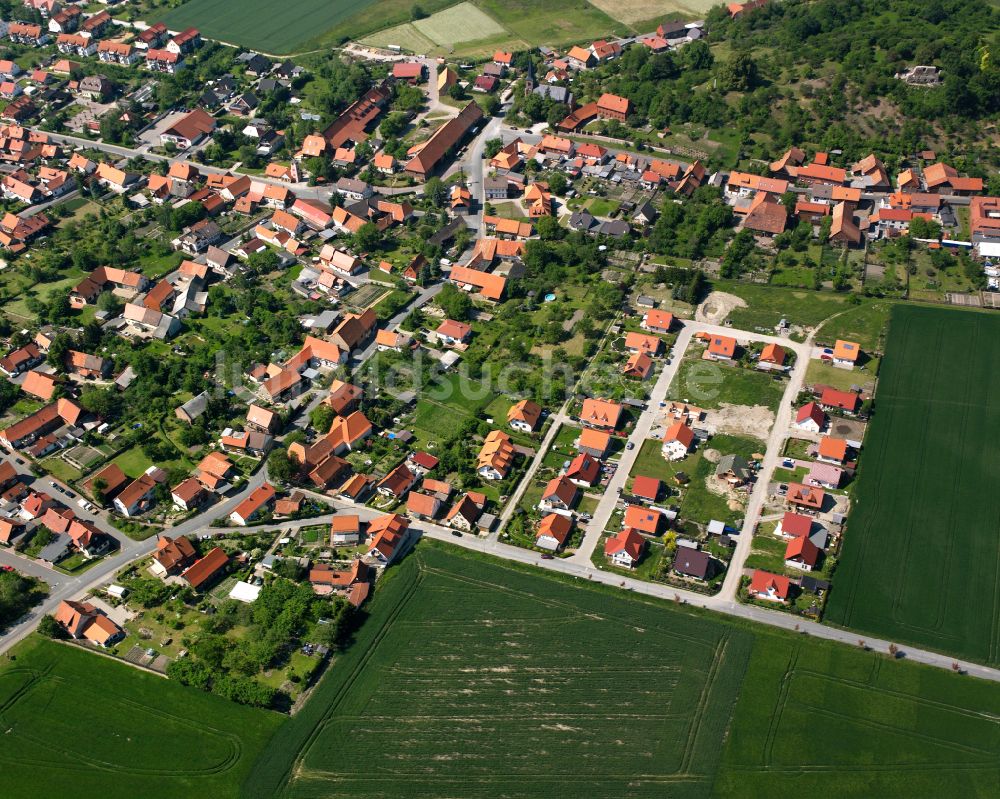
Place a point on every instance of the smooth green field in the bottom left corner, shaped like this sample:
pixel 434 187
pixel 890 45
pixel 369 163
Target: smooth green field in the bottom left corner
pixel 81 725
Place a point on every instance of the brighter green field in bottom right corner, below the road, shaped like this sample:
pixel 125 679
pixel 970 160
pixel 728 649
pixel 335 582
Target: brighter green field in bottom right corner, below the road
pixel 821 719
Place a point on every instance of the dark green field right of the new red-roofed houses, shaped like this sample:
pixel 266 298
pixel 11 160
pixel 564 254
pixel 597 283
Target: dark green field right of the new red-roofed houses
pixel 920 555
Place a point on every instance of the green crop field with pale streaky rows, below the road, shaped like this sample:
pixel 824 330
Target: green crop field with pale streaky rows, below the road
pixel 469 679
